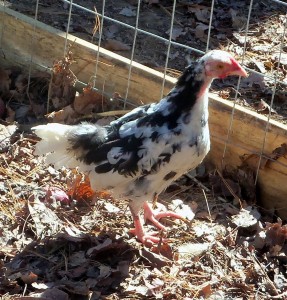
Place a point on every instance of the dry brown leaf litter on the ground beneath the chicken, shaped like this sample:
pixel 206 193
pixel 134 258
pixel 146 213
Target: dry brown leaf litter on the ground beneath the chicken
pixel 83 248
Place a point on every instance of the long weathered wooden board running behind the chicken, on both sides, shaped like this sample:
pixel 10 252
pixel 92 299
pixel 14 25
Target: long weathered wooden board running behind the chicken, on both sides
pixel 24 40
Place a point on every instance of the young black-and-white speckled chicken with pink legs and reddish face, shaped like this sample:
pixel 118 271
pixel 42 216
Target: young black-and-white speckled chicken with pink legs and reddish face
pixel 140 154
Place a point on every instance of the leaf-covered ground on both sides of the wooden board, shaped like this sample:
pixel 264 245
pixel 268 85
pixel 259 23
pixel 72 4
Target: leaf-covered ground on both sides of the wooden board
pixel 60 240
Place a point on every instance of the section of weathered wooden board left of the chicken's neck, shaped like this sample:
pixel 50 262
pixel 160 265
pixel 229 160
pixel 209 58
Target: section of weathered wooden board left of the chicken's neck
pixel 25 39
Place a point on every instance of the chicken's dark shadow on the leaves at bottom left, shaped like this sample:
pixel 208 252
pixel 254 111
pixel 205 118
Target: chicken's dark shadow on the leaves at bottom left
pixel 79 266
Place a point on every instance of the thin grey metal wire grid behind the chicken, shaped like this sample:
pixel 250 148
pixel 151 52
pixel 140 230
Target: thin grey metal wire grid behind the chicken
pixel 169 42
